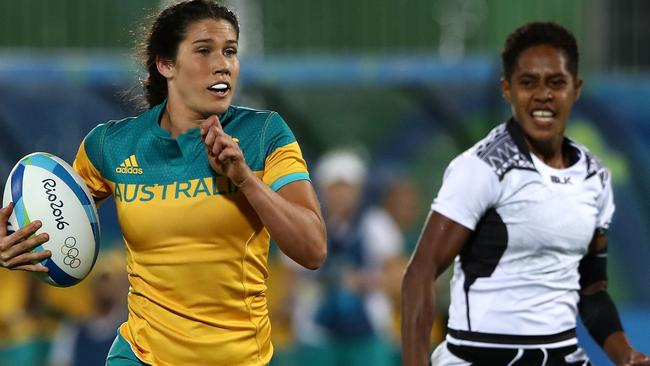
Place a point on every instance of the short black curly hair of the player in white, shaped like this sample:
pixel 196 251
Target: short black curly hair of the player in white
pixel 538 33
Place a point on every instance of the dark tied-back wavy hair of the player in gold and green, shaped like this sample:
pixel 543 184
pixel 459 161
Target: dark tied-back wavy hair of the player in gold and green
pixel 166 32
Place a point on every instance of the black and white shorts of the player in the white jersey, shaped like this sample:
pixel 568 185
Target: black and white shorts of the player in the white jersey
pixel 447 354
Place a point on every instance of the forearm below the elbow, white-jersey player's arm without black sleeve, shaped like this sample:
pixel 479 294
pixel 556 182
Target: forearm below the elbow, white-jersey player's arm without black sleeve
pixel 417 318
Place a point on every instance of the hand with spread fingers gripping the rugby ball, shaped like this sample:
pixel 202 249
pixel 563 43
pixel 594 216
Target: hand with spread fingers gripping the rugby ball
pixel 16 248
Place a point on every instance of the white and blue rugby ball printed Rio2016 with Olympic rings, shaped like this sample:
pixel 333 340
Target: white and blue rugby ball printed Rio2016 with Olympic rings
pixel 44 187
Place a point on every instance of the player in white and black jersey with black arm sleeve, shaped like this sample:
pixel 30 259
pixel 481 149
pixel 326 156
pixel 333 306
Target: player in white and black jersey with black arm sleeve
pixel 525 214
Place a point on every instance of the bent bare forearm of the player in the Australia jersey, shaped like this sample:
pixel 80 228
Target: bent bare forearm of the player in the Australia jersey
pixel 298 231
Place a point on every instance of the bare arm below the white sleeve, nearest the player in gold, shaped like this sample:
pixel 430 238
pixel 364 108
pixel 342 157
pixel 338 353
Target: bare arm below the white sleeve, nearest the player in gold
pixel 441 240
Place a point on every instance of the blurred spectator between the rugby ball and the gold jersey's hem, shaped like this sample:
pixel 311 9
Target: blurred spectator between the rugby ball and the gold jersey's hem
pixel 80 342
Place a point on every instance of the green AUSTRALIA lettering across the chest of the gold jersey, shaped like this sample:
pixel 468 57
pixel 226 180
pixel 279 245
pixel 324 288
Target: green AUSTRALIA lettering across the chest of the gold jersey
pixel 193 188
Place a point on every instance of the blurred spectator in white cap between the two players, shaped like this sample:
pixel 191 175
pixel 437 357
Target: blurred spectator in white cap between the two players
pixel 344 313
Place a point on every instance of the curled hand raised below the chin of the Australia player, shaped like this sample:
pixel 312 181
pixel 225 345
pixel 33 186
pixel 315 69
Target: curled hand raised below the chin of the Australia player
pixel 224 154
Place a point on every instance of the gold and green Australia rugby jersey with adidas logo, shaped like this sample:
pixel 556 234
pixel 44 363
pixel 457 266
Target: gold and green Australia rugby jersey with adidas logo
pixel 196 250
